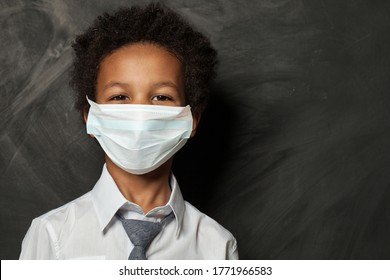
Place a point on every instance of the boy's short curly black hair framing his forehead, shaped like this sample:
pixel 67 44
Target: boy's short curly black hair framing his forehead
pixel 154 24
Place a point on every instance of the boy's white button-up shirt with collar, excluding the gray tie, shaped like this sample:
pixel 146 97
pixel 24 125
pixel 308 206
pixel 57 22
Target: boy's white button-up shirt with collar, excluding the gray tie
pixel 87 228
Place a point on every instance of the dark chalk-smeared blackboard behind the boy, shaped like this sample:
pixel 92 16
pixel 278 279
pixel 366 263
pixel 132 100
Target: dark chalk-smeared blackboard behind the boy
pixel 292 156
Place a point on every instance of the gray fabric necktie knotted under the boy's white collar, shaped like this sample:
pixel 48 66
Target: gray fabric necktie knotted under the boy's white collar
pixel 142 233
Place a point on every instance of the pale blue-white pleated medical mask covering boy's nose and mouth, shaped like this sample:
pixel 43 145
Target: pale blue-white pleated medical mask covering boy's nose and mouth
pixel 139 138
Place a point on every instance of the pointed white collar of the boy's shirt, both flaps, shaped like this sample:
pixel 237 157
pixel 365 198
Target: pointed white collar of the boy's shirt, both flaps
pixel 107 200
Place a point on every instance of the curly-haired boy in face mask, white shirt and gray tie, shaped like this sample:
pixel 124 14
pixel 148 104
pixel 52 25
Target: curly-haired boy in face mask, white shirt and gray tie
pixel 141 78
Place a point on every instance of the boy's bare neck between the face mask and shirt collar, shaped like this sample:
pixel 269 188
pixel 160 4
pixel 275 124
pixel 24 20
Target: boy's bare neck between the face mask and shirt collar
pixel 149 190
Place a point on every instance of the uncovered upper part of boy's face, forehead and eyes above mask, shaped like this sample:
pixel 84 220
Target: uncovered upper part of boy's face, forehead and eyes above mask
pixel 141 73
